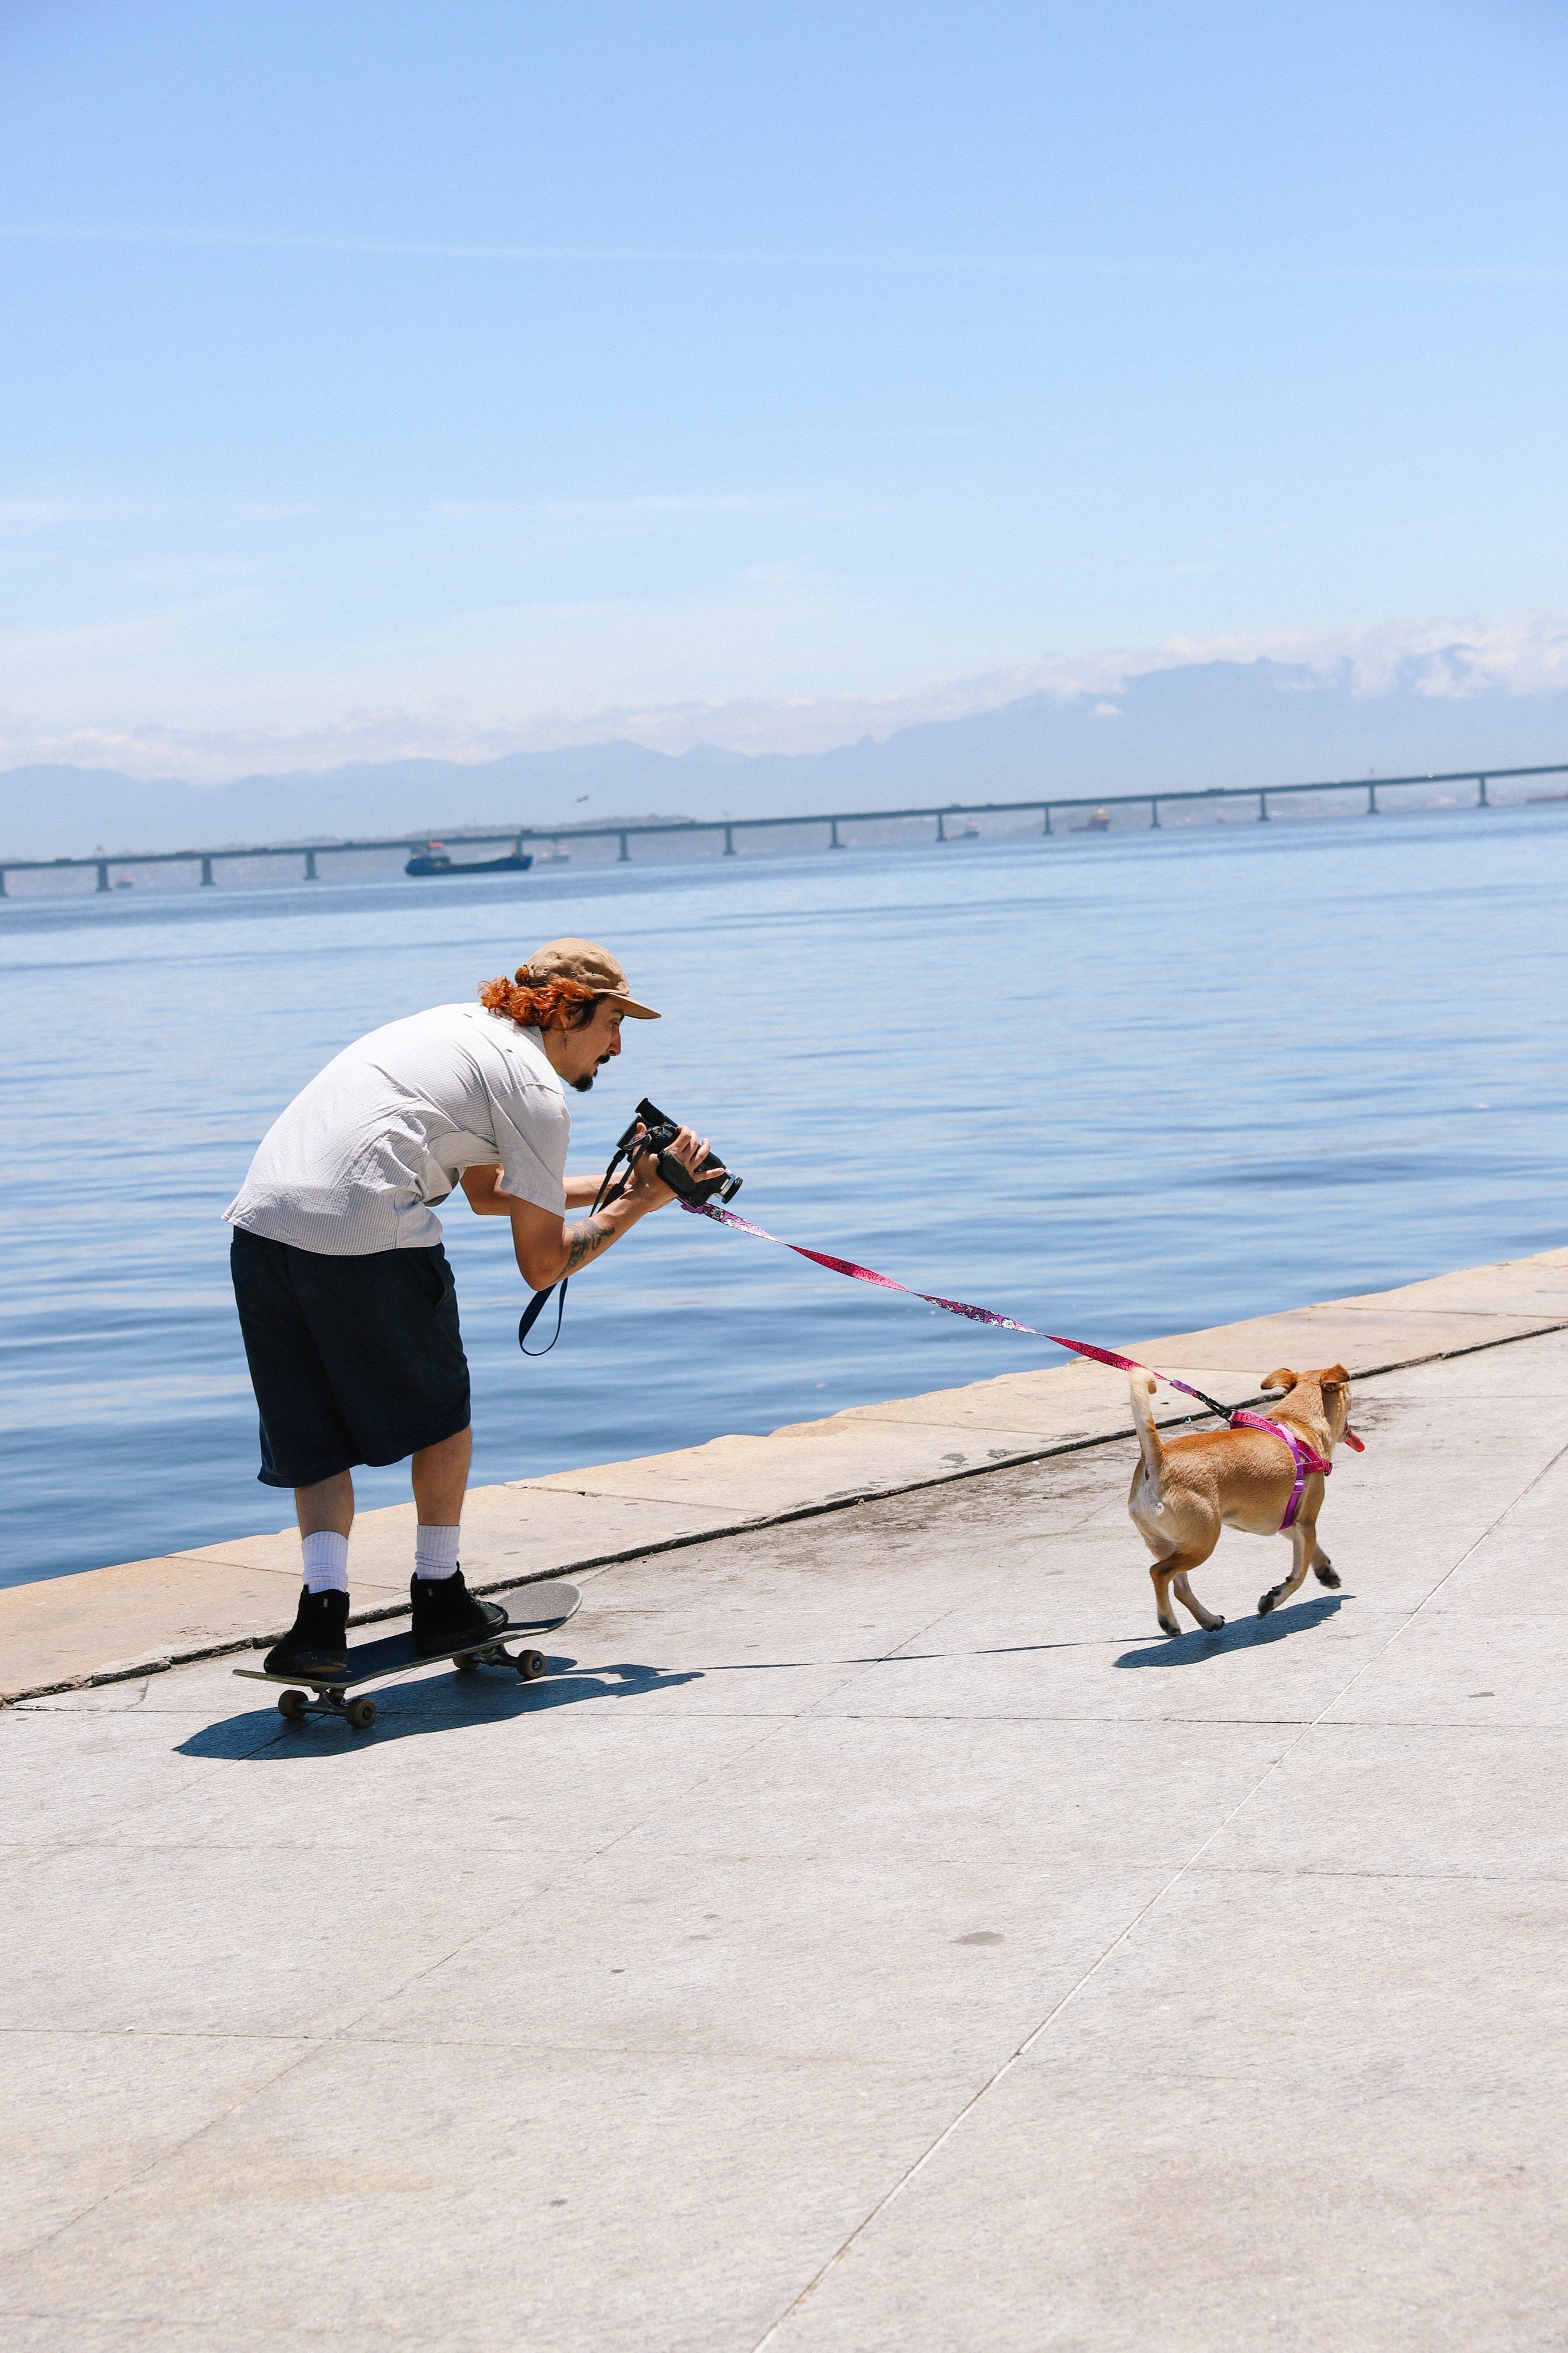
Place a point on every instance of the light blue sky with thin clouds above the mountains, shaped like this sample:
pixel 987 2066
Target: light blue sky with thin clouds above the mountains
pixel 465 378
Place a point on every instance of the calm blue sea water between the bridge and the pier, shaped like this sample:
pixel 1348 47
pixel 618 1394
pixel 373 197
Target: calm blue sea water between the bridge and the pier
pixel 1115 1086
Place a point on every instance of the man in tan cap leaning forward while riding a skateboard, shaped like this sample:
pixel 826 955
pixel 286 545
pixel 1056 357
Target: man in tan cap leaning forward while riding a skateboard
pixel 345 1293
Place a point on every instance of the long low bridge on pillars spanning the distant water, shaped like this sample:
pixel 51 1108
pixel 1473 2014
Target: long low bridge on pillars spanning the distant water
pixel 1047 808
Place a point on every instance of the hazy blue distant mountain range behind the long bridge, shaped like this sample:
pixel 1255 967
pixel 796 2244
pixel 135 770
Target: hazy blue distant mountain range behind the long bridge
pixel 1200 726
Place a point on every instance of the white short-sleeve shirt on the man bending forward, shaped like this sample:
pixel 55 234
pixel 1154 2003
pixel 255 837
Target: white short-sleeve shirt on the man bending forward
pixel 385 1131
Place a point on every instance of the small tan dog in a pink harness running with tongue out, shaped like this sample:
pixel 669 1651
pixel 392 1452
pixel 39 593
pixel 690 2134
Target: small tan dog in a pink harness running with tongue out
pixel 1188 1491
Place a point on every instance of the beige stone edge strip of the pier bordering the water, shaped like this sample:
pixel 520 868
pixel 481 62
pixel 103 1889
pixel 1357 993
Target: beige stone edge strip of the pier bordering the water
pixel 142 1618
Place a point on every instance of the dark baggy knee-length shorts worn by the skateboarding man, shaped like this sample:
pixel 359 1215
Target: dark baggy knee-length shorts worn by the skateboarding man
pixel 354 1361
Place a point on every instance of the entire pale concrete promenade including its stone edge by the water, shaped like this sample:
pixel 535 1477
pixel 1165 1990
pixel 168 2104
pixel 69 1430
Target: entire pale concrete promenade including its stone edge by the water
pixel 872 1935
